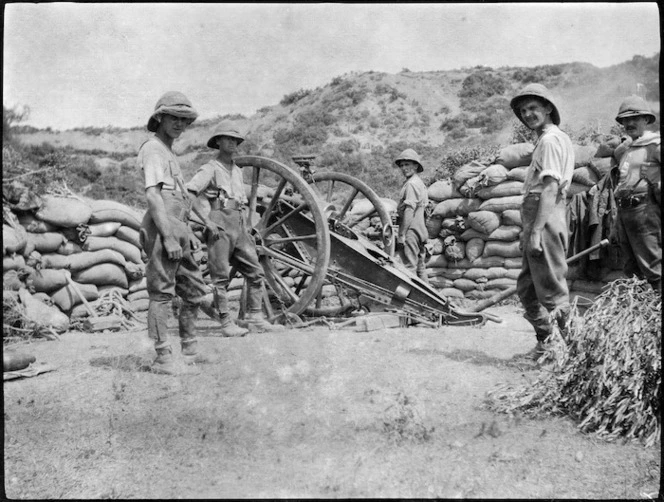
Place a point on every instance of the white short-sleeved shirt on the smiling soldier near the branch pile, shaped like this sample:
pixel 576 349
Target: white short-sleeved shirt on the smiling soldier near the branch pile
pixel 553 156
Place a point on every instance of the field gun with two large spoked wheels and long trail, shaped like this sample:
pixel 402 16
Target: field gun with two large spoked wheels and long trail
pixel 316 263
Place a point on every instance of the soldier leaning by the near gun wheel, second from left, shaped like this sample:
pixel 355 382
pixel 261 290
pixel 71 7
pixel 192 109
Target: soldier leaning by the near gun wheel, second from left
pixel 227 231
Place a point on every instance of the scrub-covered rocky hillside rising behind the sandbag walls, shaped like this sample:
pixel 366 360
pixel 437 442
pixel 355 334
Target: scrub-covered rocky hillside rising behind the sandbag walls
pixel 358 122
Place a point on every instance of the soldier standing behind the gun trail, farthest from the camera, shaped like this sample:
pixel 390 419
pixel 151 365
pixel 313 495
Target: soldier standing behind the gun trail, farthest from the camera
pixel 413 200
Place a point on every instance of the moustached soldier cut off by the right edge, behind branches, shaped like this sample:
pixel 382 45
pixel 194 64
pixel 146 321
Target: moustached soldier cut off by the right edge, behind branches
pixel 638 185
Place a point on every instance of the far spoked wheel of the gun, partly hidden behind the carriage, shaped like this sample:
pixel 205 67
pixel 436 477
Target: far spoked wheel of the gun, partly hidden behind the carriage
pixel 341 190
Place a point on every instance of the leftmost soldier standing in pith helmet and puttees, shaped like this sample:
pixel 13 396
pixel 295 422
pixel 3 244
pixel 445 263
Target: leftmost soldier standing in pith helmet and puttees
pixel 165 235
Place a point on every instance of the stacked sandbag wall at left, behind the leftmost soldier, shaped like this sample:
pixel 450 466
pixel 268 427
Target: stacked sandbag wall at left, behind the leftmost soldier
pixel 96 243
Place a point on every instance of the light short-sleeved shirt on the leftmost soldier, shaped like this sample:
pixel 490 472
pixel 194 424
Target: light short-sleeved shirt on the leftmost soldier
pixel 159 165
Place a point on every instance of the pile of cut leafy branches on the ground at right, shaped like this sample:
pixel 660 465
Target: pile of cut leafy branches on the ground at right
pixel 609 379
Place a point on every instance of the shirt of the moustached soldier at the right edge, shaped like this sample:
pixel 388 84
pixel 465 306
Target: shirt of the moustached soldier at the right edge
pixel 641 158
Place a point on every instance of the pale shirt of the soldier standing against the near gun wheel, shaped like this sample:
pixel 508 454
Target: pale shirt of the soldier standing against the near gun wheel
pixel 215 181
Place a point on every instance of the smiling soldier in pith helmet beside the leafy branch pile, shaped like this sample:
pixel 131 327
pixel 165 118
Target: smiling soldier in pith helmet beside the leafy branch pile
pixel 541 284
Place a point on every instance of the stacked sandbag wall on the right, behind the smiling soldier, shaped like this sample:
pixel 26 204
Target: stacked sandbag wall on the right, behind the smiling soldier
pixel 475 225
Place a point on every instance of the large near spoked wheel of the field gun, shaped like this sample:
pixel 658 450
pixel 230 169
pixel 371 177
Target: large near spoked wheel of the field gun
pixel 291 232
